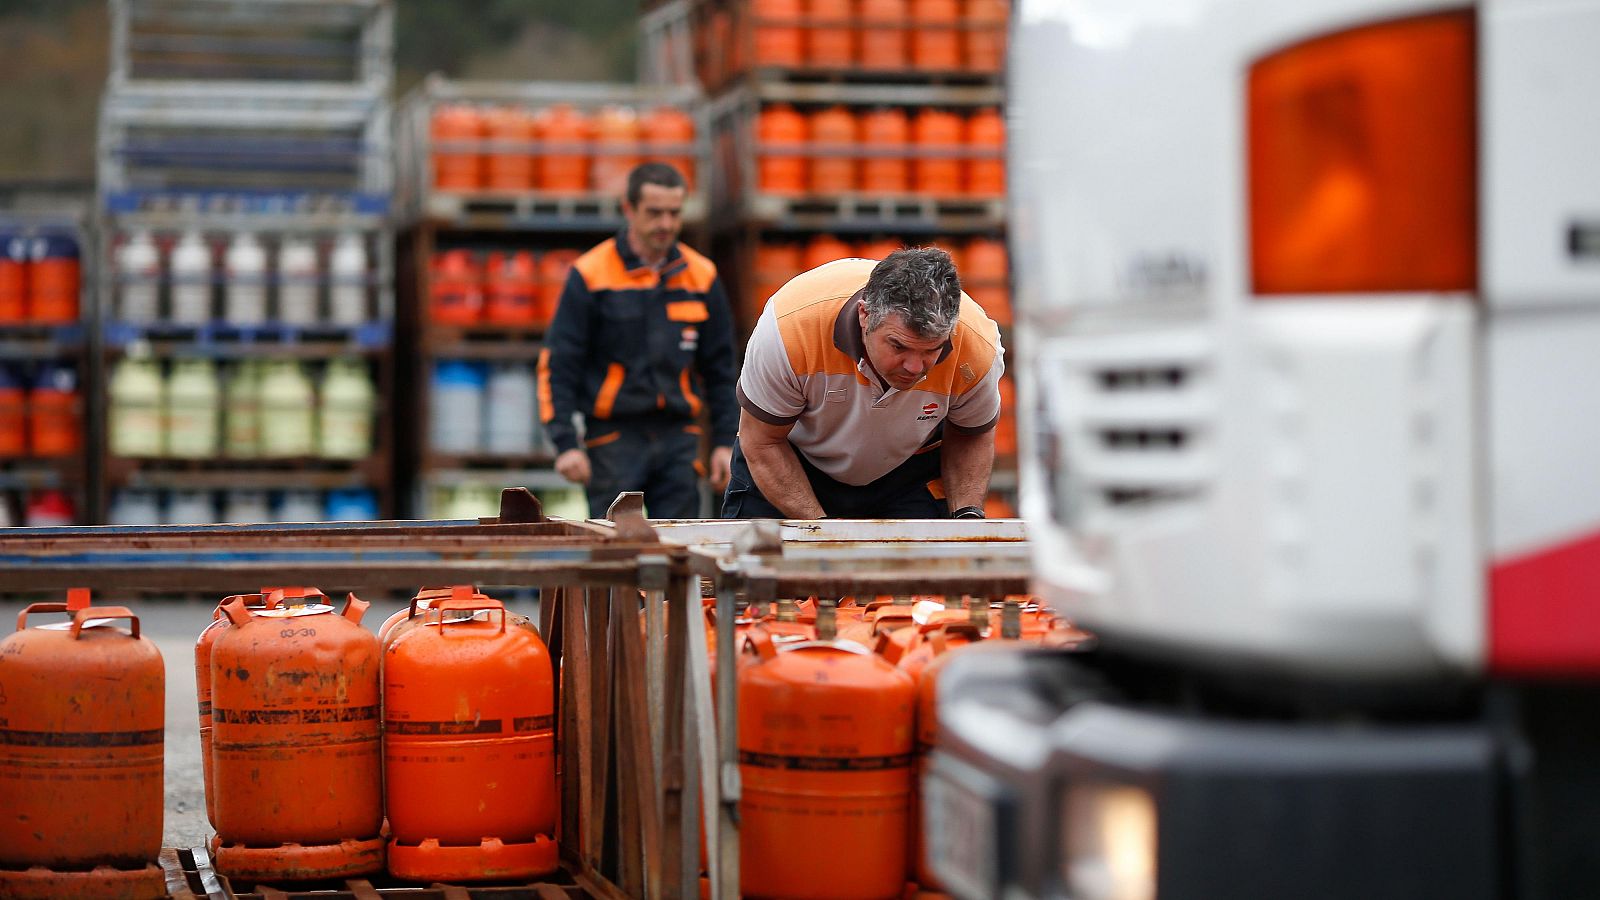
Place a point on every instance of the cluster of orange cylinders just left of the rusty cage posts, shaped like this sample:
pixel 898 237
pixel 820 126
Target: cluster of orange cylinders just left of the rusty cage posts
pixel 330 752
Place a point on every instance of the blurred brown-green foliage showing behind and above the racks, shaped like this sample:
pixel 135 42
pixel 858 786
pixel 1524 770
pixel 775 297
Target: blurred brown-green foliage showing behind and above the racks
pixel 55 55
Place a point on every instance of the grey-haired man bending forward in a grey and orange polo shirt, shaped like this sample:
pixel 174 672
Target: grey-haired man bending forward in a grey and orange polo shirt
pixel 870 392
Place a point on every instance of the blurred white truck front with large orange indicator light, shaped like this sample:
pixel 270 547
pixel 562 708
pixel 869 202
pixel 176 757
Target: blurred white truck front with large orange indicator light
pixel 1310 382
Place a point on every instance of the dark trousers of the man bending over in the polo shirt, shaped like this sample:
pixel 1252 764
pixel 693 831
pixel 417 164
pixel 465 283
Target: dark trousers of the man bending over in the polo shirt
pixel 902 494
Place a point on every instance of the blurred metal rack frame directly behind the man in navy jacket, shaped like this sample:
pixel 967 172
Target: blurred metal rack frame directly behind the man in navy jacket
pixel 482 222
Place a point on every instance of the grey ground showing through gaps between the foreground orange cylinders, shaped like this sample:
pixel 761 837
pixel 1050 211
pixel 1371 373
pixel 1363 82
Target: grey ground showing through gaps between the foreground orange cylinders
pixel 174 625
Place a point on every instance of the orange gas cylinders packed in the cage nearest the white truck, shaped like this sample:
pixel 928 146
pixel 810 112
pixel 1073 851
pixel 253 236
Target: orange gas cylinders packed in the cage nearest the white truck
pixel 836 717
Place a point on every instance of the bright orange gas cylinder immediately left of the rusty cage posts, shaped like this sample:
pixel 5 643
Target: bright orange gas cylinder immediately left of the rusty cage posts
pixel 470 747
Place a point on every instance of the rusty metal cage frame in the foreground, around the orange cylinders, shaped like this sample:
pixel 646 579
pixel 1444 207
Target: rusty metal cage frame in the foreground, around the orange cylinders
pixel 641 733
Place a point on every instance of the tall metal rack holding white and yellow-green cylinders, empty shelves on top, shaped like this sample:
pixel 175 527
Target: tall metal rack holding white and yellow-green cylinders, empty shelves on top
pixel 265 118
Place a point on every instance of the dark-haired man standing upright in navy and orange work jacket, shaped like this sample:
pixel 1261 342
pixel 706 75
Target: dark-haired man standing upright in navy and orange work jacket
pixel 641 335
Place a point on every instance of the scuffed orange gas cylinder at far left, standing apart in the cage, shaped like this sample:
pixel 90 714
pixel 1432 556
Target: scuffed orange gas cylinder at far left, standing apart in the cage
pixel 81 757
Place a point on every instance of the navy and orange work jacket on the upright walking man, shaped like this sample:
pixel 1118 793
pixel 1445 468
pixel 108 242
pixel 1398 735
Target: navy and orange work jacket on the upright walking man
pixel 638 345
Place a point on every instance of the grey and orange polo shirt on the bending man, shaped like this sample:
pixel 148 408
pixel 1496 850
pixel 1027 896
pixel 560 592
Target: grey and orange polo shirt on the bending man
pixel 807 366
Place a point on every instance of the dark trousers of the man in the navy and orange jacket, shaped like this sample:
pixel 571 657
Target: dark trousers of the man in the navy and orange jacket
pixel 658 459
